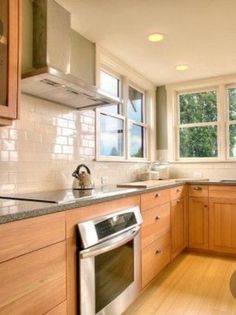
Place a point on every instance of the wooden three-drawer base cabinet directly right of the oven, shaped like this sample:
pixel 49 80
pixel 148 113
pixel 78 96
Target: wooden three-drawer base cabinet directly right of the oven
pixel 155 233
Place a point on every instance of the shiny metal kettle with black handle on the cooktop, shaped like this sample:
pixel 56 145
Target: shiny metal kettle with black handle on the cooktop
pixel 82 179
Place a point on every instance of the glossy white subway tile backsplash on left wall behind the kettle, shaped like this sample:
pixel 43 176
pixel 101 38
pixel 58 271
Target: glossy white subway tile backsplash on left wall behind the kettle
pixel 41 150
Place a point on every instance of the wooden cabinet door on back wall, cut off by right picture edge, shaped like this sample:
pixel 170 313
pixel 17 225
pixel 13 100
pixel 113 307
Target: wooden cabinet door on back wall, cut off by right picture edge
pixel 222 223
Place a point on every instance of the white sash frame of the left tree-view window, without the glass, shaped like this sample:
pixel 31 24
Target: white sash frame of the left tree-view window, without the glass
pixel 199 124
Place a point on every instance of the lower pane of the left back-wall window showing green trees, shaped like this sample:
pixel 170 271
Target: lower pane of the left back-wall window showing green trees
pixel 198 142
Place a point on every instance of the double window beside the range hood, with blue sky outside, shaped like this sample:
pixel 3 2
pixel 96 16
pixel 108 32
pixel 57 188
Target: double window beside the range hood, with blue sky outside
pixel 121 128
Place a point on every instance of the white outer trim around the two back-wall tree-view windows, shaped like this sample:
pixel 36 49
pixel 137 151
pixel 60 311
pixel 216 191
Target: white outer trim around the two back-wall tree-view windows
pixel 222 84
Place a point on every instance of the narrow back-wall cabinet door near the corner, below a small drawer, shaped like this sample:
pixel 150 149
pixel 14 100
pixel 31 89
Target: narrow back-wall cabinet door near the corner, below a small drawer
pixel 198 222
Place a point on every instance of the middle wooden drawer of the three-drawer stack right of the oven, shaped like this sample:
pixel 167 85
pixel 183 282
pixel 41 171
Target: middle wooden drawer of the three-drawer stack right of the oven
pixel 156 222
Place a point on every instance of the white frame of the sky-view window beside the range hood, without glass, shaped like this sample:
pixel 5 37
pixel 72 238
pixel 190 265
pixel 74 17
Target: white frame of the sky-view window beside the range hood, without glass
pixel 124 86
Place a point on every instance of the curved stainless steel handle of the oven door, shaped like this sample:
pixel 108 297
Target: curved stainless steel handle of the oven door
pixel 110 244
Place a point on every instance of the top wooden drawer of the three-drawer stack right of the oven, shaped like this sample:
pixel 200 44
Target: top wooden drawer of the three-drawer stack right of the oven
pixel 153 199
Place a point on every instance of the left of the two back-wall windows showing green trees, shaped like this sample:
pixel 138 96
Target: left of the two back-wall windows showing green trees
pixel 198 124
